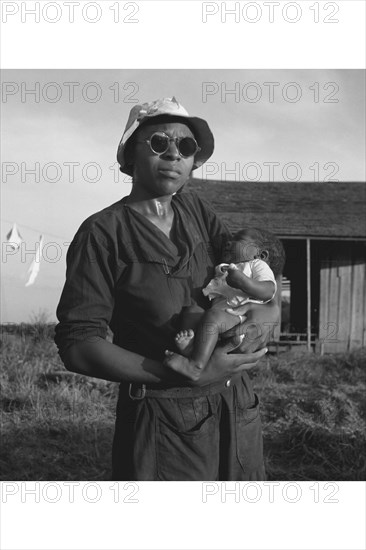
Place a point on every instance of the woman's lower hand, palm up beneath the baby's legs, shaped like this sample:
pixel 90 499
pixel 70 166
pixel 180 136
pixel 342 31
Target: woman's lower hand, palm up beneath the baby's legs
pixel 224 364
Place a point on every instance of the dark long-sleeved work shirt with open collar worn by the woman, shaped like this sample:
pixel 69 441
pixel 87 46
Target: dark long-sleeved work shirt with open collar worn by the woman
pixel 123 272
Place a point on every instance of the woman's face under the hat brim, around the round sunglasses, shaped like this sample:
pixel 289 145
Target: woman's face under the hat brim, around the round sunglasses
pixel 160 175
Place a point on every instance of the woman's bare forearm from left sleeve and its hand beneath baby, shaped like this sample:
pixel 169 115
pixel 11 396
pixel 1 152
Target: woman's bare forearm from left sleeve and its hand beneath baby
pixel 101 359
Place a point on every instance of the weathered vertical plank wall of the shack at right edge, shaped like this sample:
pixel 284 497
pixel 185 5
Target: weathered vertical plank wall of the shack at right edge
pixel 342 308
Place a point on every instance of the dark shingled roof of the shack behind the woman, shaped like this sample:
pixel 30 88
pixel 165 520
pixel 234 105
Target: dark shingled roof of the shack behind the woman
pixel 319 210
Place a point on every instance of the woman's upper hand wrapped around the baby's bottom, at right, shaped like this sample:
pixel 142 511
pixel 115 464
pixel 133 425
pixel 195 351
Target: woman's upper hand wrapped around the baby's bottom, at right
pixel 257 328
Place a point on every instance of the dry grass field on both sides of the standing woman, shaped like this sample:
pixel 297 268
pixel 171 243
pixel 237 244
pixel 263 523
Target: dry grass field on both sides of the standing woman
pixel 60 426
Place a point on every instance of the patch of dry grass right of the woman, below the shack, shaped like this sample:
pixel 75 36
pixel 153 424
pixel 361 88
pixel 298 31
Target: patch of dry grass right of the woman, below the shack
pixel 314 413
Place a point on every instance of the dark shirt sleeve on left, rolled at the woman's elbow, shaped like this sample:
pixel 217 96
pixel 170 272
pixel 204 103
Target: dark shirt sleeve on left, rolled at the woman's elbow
pixel 87 301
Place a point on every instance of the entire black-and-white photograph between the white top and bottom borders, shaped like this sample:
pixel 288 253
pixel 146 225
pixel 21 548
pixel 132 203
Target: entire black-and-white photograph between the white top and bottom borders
pixel 215 287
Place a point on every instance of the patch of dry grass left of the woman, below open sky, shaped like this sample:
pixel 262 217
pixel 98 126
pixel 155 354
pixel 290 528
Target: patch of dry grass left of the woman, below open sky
pixel 52 427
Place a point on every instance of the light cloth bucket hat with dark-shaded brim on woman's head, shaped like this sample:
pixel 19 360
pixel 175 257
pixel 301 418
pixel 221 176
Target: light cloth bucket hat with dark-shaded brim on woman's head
pixel 166 106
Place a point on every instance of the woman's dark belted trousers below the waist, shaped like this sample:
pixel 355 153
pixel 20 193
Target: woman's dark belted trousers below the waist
pixel 202 438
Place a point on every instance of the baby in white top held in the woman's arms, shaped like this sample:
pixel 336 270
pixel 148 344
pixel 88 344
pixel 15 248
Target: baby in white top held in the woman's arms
pixel 253 259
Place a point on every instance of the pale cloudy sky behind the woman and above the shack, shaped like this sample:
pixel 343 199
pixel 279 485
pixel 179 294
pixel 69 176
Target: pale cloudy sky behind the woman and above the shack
pixel 280 125
